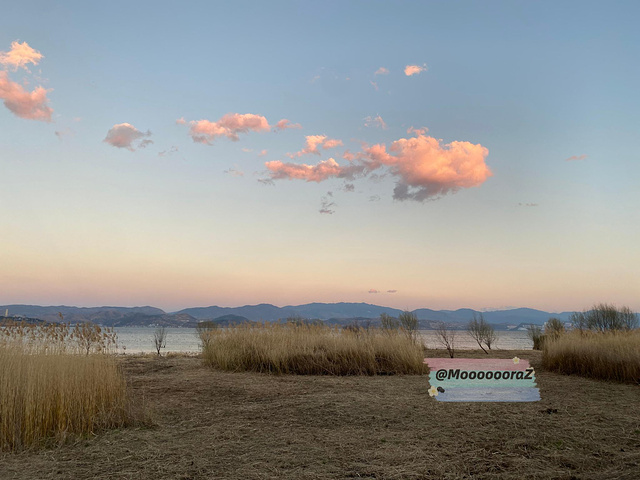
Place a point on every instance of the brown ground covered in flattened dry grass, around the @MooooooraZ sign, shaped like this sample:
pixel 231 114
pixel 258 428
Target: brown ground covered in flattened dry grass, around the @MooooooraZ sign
pixel 211 424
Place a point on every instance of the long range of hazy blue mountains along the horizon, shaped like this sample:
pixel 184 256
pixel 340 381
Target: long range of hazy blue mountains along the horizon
pixel 332 313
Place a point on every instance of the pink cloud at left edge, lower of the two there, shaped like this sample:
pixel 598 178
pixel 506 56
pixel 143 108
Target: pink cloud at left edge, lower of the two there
pixel 24 104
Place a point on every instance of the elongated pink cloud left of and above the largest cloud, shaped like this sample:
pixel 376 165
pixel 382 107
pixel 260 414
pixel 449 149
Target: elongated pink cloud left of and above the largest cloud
pixel 232 124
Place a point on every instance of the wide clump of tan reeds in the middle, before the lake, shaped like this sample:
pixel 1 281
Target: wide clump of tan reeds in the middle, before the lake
pixel 312 350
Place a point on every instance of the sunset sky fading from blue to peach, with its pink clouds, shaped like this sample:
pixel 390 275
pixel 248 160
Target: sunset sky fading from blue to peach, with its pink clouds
pixel 410 154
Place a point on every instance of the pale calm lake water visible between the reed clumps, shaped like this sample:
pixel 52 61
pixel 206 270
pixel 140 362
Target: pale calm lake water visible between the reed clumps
pixel 140 340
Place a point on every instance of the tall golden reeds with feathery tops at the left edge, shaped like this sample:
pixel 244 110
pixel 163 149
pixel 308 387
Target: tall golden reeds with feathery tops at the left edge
pixel 52 387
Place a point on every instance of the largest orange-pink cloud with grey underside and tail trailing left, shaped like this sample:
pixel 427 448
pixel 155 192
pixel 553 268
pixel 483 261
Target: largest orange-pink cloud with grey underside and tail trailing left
pixel 424 168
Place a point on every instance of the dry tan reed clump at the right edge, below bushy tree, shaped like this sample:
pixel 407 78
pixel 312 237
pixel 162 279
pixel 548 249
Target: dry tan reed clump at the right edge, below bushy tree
pixel 613 355
